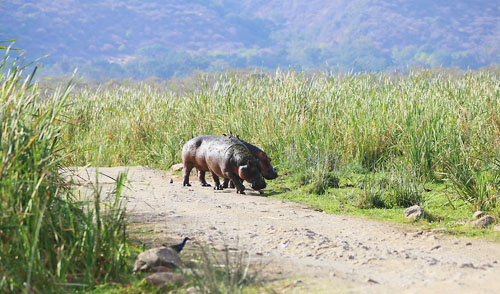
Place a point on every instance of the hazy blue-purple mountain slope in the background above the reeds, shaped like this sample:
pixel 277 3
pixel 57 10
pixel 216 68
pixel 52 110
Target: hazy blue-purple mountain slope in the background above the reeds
pixel 133 38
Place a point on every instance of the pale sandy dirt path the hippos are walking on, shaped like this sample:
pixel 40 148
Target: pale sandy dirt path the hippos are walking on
pixel 329 253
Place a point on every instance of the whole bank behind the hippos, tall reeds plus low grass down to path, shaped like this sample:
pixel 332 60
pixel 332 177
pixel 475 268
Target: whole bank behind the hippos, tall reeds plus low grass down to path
pixel 397 140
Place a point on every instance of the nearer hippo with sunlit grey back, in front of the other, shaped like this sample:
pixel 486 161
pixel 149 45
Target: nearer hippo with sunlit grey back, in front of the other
pixel 223 157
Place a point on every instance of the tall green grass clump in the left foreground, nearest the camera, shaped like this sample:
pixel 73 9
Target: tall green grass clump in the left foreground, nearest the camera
pixel 49 242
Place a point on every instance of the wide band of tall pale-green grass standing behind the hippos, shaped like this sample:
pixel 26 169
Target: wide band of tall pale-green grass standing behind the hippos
pixel 370 121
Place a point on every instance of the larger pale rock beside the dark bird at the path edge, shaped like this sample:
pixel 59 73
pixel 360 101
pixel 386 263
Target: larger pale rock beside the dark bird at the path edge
pixel 161 256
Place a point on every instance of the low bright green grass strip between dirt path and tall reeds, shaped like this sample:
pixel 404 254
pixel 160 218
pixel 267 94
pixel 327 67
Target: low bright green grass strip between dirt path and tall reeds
pixel 443 208
